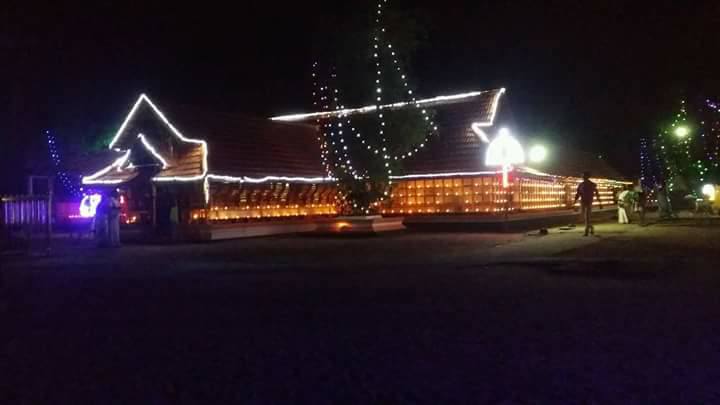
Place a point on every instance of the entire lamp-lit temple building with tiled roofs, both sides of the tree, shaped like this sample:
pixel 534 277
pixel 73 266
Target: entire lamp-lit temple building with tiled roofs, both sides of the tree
pixel 218 168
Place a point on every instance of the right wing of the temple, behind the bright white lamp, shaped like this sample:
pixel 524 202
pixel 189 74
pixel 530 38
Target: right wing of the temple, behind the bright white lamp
pixel 460 171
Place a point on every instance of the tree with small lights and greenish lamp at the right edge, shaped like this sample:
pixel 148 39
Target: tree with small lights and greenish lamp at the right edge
pixel 686 153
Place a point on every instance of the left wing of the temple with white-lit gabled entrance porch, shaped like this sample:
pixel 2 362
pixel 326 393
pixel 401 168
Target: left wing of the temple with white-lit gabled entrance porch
pixel 214 167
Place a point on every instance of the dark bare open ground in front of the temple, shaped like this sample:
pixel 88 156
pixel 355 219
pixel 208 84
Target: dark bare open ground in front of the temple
pixel 630 316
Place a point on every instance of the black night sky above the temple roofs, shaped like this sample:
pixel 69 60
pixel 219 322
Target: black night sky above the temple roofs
pixel 594 74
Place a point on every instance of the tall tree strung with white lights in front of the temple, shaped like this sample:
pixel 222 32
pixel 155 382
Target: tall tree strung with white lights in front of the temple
pixel 363 152
